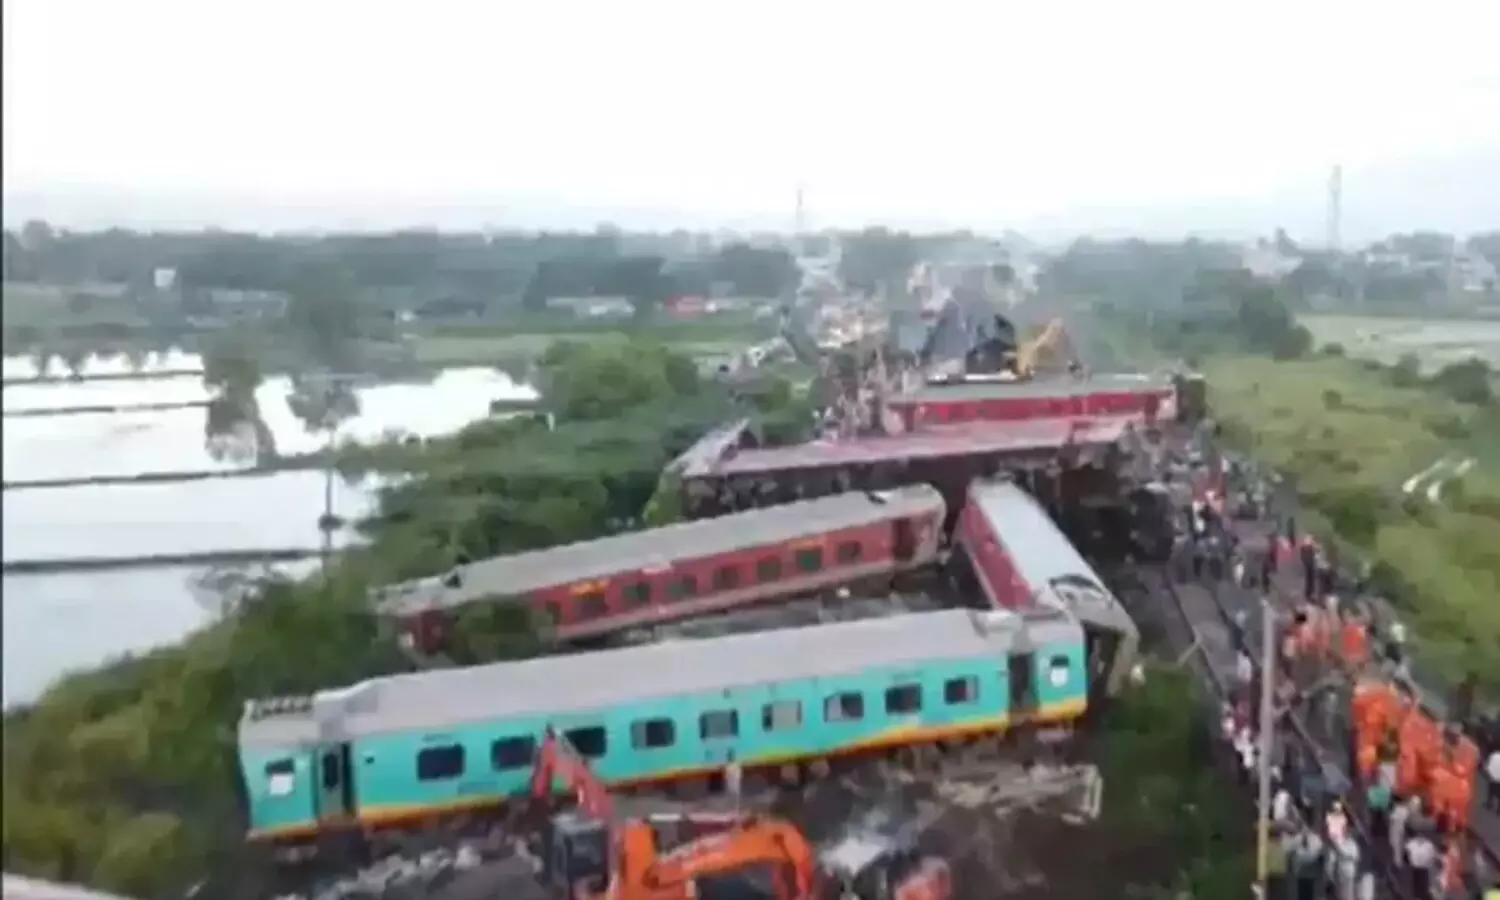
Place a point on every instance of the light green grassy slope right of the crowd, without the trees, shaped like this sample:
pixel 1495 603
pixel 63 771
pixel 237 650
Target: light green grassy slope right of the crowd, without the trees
pixel 1351 437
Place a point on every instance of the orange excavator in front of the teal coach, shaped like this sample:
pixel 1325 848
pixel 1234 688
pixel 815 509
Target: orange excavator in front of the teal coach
pixel 589 854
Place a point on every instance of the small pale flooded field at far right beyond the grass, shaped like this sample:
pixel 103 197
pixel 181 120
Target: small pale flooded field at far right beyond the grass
pixel 1436 343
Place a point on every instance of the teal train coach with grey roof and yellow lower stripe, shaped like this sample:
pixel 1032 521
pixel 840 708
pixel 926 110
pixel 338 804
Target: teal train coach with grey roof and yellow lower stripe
pixel 395 751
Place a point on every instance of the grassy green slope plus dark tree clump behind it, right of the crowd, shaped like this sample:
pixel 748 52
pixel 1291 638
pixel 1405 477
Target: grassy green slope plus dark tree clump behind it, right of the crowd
pixel 1348 434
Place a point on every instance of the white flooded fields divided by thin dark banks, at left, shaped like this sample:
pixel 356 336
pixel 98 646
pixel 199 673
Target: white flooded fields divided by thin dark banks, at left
pixel 58 623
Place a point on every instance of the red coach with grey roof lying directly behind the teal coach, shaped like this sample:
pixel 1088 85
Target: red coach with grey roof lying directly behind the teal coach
pixel 661 575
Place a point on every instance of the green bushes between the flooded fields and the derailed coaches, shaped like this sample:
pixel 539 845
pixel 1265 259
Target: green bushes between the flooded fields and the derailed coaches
pixel 124 778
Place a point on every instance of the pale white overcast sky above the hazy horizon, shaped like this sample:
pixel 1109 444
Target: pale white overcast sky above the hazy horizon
pixel 932 110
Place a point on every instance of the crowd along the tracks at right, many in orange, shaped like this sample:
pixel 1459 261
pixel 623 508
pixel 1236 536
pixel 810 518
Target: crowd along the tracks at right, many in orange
pixel 1409 800
